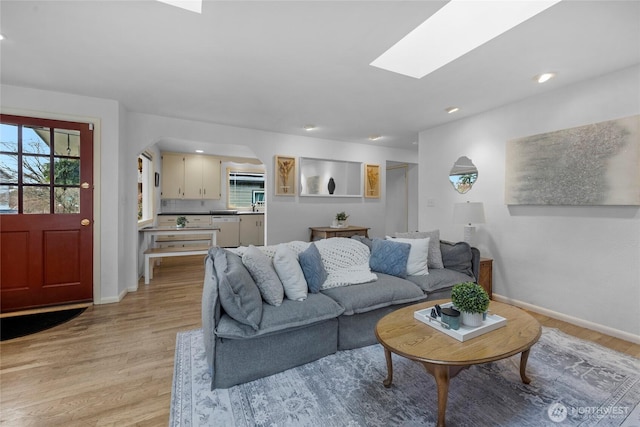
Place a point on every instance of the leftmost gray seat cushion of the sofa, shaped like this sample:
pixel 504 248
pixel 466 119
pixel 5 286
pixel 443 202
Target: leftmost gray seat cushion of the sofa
pixel 289 315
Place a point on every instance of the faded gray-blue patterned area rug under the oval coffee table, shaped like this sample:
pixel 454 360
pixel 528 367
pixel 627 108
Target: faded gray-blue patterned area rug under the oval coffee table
pixel 574 383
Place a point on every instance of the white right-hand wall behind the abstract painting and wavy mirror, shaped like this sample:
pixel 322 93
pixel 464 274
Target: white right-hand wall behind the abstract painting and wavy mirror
pixel 578 263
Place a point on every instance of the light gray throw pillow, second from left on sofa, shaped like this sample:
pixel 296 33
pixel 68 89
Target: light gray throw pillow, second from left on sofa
pixel 261 268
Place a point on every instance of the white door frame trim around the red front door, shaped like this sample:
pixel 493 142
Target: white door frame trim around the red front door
pixel 97 174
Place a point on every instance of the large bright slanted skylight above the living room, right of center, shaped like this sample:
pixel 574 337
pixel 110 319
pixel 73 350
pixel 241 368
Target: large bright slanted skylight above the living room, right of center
pixel 456 29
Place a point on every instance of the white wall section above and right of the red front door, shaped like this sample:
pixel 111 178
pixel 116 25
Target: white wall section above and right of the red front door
pixel 106 116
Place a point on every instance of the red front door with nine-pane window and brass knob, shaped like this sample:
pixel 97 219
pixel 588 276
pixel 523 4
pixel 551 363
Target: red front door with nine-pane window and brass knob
pixel 46 212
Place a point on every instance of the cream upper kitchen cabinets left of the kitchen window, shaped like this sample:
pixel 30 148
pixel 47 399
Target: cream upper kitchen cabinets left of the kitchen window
pixel 189 176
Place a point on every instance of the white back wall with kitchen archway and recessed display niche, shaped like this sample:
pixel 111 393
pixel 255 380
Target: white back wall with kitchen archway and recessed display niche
pixel 288 217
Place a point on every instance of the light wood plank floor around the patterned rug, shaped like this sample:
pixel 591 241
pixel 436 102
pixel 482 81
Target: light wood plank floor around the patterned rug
pixel 113 364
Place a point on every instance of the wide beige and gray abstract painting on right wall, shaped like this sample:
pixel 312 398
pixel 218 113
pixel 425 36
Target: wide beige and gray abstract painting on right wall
pixel 597 164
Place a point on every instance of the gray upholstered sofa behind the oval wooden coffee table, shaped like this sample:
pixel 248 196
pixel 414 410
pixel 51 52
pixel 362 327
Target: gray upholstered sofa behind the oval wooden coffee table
pixel 247 338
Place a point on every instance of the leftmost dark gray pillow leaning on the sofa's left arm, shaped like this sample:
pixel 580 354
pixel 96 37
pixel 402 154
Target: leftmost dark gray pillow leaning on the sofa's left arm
pixel 239 296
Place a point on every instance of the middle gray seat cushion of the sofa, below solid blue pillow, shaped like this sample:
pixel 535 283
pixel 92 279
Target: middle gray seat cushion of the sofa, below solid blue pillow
pixel 387 290
